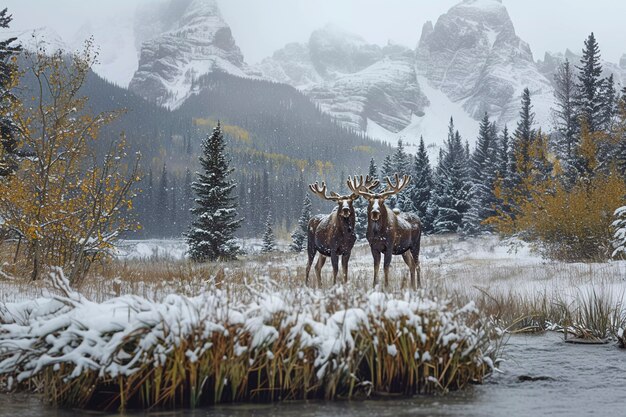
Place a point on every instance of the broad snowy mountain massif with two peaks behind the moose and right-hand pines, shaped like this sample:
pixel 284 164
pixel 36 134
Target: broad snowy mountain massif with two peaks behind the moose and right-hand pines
pixel 470 62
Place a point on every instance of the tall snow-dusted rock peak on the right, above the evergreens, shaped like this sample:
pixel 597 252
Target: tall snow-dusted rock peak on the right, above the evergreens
pixel 474 56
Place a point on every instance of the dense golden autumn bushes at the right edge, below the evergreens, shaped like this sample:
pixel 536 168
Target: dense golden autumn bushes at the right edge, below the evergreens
pixel 567 221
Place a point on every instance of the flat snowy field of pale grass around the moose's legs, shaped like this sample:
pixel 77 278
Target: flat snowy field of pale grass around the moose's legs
pixel 452 266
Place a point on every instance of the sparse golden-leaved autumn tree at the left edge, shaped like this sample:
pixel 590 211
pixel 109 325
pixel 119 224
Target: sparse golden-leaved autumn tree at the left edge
pixel 66 203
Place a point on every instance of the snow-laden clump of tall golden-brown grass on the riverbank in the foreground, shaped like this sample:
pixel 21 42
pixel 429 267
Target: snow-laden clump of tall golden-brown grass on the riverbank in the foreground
pixel 257 342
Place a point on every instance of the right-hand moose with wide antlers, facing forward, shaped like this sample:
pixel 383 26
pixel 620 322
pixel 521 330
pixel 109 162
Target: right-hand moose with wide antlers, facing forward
pixel 390 232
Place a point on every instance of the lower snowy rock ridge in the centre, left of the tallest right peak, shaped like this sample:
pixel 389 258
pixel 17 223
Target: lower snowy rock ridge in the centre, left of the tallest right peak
pixel 354 81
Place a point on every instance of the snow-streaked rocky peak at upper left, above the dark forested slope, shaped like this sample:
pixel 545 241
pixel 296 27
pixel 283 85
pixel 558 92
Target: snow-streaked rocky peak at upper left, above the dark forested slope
pixel 180 41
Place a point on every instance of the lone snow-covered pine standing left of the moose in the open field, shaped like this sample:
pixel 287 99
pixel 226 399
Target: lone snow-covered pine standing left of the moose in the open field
pixel 211 235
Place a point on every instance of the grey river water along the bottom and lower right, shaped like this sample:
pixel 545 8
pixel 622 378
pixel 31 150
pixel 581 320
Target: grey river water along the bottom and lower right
pixel 572 380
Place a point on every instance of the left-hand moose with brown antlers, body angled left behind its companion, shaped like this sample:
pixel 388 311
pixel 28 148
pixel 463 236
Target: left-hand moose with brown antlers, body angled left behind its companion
pixel 333 235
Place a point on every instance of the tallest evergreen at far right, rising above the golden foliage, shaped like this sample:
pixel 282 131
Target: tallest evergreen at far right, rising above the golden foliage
pixel 589 99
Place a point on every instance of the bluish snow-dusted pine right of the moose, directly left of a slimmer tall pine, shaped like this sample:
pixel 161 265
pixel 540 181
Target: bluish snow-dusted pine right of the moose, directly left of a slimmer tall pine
pixel 451 195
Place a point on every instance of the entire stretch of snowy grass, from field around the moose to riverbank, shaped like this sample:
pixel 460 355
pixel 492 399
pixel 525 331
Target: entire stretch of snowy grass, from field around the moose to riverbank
pixel 509 285
